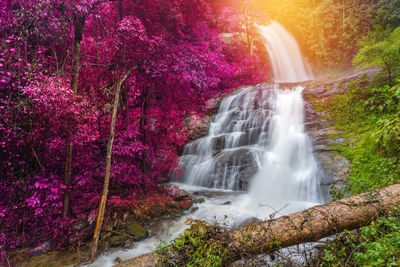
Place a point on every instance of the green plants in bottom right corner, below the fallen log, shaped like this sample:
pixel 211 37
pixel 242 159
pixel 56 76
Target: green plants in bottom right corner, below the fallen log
pixel 375 245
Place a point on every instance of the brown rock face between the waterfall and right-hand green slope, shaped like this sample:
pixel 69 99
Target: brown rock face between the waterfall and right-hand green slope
pixel 317 93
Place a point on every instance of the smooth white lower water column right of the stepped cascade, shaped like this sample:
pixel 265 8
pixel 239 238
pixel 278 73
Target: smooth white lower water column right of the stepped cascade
pixel 289 171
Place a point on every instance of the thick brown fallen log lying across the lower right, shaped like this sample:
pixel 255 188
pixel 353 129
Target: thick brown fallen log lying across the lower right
pixel 309 225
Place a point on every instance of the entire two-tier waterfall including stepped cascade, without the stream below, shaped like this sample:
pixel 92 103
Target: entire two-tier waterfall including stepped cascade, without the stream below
pixel 257 141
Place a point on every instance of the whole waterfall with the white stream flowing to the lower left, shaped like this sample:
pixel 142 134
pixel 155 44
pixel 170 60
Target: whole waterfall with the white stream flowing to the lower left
pixel 256 143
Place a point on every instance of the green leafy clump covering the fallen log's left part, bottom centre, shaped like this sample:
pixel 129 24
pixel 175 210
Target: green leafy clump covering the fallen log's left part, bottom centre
pixel 197 246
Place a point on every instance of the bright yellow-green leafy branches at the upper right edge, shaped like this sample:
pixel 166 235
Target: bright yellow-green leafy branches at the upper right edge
pixel 381 48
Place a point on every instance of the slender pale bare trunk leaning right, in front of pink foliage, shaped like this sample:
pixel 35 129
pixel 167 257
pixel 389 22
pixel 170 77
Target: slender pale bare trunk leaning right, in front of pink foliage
pixel 102 205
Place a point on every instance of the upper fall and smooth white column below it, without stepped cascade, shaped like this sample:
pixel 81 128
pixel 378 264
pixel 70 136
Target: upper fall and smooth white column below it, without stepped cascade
pixel 289 171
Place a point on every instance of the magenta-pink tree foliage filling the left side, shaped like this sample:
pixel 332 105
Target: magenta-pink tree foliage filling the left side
pixel 180 64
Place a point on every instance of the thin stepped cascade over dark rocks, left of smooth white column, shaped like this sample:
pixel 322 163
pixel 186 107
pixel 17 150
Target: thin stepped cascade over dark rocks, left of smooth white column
pixel 232 152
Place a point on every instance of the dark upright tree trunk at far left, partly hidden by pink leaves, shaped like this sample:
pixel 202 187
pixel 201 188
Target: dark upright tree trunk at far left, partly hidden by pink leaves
pixel 79 23
